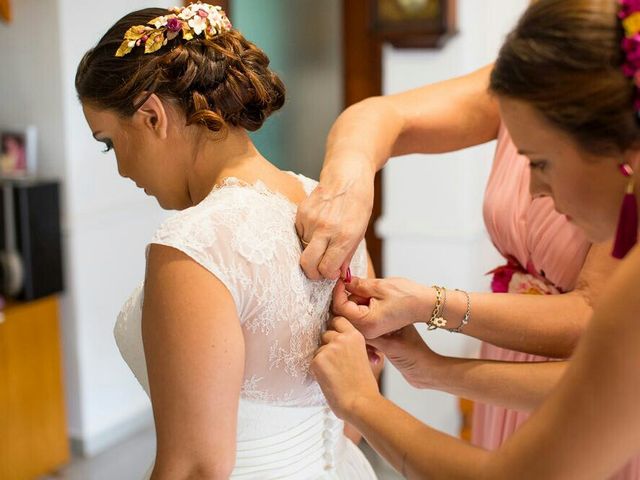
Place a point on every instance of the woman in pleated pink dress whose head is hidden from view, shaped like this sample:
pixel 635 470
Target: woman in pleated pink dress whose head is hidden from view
pixel 544 254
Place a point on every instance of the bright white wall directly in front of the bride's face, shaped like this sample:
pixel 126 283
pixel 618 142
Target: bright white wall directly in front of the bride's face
pixel 109 222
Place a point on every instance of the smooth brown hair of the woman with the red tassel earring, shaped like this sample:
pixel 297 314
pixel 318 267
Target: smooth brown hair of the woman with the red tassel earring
pixel 565 58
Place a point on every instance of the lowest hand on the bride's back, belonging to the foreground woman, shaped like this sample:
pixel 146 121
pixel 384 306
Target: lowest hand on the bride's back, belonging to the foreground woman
pixel 341 367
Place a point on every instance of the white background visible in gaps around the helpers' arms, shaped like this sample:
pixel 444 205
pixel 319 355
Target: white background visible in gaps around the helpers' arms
pixel 432 213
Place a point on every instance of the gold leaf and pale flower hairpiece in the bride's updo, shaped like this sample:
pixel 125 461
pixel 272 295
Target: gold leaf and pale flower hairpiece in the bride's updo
pixel 191 21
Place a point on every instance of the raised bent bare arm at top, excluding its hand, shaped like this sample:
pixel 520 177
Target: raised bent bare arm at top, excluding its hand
pixel 425 120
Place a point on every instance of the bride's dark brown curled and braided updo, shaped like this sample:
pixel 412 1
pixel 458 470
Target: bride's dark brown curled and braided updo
pixel 218 80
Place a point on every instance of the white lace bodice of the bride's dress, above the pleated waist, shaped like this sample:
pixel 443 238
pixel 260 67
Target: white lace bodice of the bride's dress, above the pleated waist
pixel 245 236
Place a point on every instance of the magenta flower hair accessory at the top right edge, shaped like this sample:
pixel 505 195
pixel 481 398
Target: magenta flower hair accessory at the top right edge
pixel 629 15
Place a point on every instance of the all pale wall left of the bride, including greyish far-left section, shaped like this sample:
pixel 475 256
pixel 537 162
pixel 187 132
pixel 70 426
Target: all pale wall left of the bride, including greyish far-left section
pixel 106 220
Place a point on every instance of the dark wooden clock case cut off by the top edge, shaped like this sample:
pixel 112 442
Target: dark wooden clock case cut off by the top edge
pixel 415 23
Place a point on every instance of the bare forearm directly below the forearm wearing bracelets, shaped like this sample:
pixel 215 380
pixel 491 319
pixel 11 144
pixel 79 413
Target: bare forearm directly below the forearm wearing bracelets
pixel 515 385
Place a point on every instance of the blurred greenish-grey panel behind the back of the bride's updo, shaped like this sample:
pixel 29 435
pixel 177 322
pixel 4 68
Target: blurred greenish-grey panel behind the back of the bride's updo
pixel 304 43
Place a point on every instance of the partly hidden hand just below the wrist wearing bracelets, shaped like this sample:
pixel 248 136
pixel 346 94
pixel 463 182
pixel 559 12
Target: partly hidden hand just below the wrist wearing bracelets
pixel 409 353
